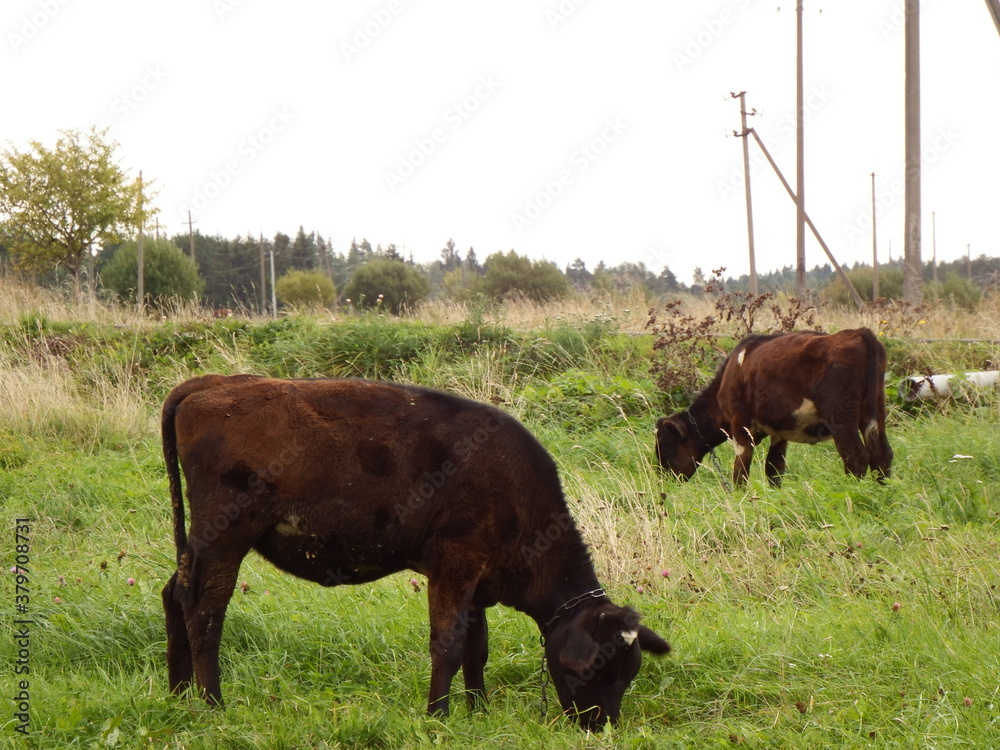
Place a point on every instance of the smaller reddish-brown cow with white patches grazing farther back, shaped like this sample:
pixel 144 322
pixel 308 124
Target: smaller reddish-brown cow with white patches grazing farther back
pixel 802 387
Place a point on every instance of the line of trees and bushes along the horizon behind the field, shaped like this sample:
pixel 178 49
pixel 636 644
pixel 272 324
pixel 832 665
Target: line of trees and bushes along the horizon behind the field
pixel 72 212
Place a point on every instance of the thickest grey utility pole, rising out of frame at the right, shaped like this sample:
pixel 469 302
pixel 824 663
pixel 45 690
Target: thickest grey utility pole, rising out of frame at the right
pixel 911 200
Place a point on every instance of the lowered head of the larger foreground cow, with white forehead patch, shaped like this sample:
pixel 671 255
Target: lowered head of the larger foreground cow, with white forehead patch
pixel 593 656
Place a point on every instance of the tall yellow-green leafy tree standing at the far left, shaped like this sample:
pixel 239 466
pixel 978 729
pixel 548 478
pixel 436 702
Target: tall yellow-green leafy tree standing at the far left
pixel 56 204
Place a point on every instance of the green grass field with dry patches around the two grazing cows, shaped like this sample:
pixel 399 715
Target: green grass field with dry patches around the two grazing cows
pixel 827 613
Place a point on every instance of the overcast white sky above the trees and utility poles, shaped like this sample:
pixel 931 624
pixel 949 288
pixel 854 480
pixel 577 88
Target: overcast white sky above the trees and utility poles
pixel 559 128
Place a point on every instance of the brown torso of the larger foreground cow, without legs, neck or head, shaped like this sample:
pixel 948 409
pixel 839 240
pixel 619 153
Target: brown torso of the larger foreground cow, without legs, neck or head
pixel 348 480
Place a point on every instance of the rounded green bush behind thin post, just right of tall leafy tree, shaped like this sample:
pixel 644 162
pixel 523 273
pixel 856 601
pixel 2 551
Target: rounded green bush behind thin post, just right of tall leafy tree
pixel 168 274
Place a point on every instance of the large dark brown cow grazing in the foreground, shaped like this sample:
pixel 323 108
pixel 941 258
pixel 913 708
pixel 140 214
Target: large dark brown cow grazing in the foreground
pixel 345 481
